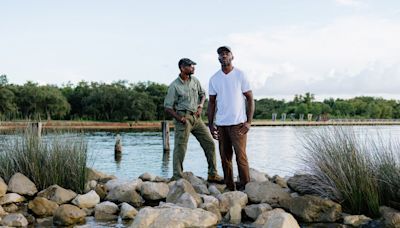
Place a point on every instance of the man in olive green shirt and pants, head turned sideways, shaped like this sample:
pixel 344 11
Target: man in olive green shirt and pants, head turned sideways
pixel 184 101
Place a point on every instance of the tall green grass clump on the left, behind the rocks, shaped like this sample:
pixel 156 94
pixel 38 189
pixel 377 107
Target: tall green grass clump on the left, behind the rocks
pixel 57 158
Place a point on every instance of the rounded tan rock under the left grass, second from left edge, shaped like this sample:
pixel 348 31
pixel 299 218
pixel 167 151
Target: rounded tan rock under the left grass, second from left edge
pixel 20 184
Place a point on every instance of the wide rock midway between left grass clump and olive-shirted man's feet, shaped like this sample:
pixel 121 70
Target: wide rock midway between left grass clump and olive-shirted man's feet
pixel 125 193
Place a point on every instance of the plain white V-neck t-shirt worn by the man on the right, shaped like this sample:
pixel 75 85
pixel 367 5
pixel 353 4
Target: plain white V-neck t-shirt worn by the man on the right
pixel 229 89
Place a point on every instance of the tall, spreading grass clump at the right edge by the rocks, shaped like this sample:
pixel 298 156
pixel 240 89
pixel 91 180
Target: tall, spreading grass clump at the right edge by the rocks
pixel 358 171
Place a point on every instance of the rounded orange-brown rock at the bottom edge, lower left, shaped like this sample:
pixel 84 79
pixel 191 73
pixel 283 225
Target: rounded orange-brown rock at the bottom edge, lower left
pixel 68 214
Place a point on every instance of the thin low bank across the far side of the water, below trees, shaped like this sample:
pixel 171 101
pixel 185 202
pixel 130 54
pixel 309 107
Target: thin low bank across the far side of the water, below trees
pixel 156 125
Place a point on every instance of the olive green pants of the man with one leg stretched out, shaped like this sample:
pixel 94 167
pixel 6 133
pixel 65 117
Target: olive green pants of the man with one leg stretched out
pixel 197 127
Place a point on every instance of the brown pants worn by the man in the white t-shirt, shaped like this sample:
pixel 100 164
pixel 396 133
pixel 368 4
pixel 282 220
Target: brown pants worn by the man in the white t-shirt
pixel 229 139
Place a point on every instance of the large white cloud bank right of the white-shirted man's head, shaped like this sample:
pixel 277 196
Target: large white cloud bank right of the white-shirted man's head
pixel 353 55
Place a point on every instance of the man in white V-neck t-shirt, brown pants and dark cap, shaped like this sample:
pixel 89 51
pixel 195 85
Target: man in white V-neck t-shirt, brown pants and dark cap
pixel 231 104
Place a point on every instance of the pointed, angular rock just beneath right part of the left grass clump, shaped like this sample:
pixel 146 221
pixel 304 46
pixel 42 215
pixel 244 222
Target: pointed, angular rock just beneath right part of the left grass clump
pixel 58 194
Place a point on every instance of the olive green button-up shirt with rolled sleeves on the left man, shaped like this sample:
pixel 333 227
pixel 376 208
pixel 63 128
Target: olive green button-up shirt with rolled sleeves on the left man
pixel 184 95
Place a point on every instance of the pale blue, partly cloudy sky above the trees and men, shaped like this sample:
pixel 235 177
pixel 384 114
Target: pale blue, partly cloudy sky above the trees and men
pixel 331 48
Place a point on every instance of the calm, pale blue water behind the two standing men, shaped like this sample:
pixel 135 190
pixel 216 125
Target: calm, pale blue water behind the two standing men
pixel 274 150
